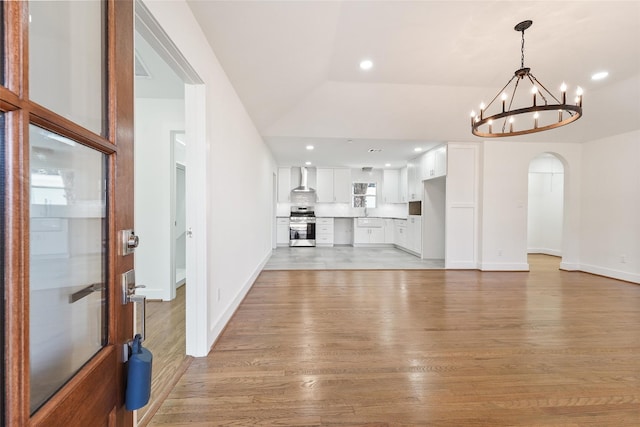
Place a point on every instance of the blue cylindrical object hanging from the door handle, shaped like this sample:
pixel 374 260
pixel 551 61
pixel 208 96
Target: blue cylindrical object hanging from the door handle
pixel 138 376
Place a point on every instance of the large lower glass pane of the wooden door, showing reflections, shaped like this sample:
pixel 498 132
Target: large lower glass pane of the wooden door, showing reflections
pixel 67 260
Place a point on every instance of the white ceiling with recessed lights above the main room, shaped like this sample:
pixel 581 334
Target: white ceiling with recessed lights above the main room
pixel 294 64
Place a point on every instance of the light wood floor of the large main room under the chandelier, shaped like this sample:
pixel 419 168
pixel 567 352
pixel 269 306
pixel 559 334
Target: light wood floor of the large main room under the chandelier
pixel 436 348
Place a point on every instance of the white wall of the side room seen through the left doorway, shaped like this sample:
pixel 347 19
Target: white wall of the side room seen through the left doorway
pixel 155 119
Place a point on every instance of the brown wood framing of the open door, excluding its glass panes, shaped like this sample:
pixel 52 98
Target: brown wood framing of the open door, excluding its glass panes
pixel 118 145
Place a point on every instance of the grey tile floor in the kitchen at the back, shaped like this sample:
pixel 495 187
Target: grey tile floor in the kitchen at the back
pixel 347 258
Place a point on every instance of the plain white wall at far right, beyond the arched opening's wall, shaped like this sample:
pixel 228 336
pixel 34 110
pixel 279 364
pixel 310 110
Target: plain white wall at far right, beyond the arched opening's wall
pixel 611 207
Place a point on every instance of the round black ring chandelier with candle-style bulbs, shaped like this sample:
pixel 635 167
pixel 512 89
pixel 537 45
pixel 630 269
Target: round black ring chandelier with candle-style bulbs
pixel 544 113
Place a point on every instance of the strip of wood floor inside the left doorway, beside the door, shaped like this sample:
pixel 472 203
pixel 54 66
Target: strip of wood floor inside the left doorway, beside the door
pixel 166 341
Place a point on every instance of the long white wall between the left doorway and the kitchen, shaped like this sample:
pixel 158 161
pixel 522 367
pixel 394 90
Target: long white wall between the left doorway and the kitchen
pixel 238 207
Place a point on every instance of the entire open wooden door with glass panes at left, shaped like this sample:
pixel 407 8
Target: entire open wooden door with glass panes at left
pixel 66 105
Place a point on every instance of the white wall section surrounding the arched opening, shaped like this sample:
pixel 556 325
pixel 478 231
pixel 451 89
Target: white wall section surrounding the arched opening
pixel 504 195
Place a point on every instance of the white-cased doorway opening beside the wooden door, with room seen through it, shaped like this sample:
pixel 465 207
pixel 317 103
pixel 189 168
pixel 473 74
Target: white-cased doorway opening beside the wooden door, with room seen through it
pixel 169 123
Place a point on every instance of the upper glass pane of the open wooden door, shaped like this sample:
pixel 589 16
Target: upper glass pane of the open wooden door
pixel 66 60
